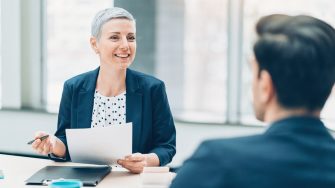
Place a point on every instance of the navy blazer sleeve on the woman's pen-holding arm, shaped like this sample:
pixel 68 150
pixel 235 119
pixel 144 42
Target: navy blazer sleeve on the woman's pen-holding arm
pixel 64 119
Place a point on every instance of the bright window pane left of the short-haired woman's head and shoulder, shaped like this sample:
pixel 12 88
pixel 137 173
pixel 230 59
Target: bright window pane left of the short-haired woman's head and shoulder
pixel 68 48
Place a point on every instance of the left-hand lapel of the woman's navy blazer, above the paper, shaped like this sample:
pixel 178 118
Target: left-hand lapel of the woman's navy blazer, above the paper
pixel 85 101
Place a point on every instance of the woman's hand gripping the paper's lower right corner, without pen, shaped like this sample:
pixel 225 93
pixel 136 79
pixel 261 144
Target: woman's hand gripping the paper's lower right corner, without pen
pixel 137 161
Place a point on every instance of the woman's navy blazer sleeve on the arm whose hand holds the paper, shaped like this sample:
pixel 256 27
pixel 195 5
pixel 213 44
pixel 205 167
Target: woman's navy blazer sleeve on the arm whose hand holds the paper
pixel 164 132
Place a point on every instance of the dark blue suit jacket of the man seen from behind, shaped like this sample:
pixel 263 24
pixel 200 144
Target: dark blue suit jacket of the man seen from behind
pixel 293 152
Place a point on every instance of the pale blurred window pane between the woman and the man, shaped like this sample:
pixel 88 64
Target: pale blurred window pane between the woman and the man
pixel 205 61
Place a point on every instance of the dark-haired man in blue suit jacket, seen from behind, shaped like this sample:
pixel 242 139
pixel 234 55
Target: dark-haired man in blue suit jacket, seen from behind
pixel 293 74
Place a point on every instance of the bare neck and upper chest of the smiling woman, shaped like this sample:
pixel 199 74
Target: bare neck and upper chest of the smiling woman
pixel 111 81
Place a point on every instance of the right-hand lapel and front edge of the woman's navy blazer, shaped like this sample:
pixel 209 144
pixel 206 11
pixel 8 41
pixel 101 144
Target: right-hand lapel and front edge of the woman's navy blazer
pixel 134 106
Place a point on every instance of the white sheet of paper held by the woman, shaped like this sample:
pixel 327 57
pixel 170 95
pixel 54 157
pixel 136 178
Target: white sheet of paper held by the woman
pixel 103 146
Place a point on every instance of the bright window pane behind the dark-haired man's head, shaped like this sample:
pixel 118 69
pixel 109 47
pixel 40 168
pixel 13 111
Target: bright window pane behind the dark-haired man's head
pixel 253 10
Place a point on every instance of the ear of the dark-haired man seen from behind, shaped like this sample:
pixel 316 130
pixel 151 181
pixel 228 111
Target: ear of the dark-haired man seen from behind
pixel 266 86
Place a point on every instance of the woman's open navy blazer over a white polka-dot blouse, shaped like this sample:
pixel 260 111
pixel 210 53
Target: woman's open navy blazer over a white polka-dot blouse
pixel 147 108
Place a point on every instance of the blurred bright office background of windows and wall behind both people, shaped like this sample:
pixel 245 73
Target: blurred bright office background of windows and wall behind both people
pixel 199 48
